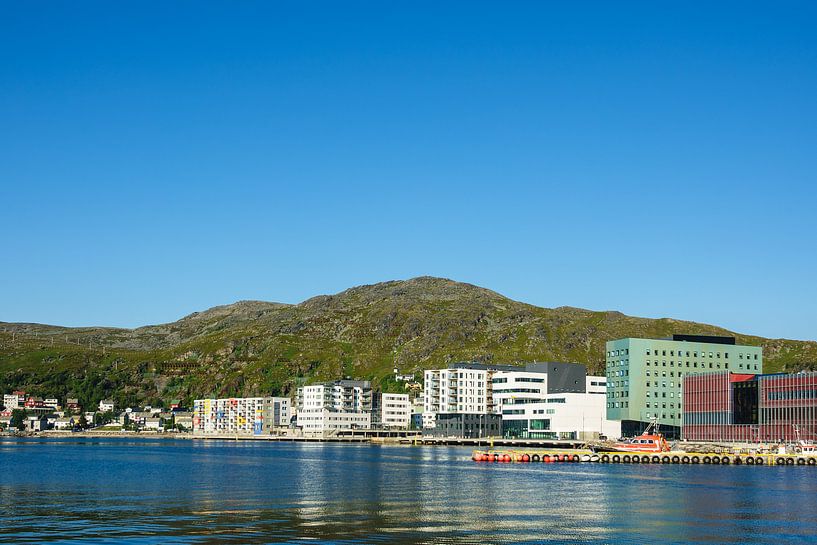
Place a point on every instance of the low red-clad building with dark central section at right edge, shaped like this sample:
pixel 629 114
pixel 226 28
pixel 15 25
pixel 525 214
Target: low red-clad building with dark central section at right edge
pixel 746 407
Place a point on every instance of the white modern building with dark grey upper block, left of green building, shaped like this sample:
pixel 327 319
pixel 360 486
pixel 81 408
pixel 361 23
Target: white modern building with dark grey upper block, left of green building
pixel 552 400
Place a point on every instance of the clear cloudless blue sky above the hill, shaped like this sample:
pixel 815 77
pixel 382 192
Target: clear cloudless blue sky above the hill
pixel 660 159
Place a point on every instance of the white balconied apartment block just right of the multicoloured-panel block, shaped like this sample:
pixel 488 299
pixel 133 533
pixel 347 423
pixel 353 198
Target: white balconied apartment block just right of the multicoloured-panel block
pixel 339 405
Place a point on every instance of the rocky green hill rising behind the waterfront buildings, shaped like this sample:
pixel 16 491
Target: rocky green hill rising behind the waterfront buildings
pixel 254 347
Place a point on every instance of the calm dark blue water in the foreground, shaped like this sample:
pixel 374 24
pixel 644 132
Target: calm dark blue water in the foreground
pixel 157 491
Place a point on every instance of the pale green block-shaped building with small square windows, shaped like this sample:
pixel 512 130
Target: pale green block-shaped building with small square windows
pixel 644 376
